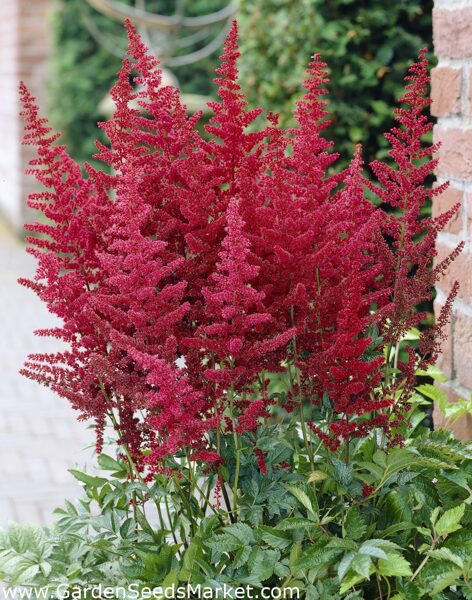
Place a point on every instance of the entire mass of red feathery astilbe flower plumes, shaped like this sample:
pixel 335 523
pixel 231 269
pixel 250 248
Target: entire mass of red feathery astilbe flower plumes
pixel 198 266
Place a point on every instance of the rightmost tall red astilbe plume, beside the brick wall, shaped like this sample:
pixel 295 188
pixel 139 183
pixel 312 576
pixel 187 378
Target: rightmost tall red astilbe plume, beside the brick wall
pixel 408 270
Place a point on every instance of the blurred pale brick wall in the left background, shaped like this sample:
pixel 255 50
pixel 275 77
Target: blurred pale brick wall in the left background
pixel 24 50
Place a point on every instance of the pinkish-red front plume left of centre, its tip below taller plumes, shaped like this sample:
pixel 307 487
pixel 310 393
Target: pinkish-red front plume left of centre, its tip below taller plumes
pixel 138 309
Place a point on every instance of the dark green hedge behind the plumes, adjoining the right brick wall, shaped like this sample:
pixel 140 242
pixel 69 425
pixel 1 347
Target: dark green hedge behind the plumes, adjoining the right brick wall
pixel 366 44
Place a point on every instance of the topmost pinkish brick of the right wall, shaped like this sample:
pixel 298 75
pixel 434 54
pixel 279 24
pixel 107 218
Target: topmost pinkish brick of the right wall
pixel 452 32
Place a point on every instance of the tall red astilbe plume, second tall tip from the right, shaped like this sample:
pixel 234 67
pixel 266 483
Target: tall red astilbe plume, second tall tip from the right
pixel 296 188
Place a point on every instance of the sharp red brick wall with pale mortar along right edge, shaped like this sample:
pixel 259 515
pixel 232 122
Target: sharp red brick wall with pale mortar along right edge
pixel 452 103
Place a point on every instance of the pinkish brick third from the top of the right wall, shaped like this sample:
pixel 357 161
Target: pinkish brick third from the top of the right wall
pixel 455 153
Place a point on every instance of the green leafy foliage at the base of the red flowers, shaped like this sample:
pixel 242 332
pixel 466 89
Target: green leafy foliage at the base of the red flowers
pixel 409 538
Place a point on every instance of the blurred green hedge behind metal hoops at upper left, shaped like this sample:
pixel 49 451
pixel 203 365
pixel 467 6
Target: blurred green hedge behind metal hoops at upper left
pixel 82 70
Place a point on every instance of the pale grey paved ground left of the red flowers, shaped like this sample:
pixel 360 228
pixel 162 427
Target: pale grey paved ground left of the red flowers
pixel 39 436
